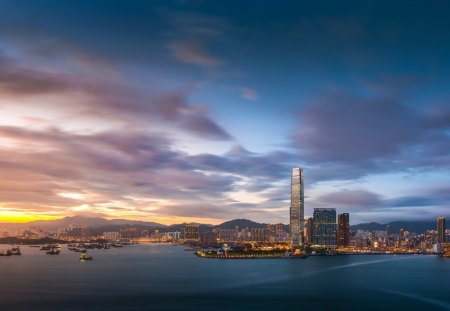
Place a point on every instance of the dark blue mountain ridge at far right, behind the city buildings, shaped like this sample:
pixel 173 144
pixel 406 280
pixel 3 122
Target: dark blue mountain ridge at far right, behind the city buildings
pixel 396 226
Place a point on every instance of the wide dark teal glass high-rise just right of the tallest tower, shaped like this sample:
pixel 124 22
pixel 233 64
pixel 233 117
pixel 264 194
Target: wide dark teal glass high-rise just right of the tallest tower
pixel 324 222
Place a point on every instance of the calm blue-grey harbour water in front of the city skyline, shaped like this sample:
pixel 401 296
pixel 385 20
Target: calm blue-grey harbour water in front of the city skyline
pixel 164 277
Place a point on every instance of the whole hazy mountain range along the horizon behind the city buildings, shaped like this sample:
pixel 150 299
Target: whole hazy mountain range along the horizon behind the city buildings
pixel 99 225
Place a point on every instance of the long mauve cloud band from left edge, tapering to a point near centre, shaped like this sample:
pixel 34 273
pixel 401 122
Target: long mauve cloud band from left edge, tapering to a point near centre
pixel 109 100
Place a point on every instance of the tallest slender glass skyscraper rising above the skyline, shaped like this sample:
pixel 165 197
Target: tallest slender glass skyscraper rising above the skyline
pixel 297 208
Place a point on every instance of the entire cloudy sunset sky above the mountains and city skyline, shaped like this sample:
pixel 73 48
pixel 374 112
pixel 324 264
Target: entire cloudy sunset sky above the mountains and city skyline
pixel 174 111
